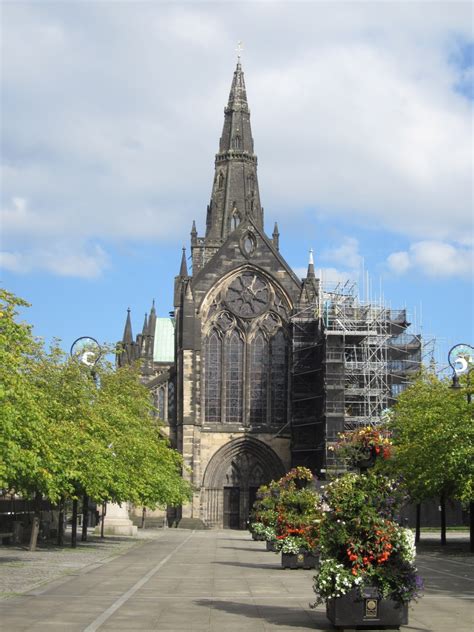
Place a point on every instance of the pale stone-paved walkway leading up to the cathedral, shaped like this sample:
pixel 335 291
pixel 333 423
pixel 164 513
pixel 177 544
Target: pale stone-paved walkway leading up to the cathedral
pixel 216 581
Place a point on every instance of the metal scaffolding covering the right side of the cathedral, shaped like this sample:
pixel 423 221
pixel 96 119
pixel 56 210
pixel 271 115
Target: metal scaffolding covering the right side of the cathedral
pixel 350 360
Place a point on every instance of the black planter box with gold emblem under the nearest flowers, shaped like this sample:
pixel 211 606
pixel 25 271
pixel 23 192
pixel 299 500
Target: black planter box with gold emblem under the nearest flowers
pixel 365 608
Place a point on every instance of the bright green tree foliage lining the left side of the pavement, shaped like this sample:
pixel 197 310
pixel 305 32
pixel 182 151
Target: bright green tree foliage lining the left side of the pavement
pixel 64 437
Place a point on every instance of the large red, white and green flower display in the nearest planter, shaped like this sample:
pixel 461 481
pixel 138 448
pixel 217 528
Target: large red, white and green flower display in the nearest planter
pixel 360 542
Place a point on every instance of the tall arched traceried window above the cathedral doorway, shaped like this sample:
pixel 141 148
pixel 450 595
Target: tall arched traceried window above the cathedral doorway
pixel 245 376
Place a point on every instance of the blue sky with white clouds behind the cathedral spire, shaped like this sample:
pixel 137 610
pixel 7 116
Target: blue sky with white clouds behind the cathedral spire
pixel 111 113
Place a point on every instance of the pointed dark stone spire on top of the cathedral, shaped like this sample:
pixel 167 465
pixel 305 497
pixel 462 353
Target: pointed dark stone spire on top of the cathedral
pixel 235 194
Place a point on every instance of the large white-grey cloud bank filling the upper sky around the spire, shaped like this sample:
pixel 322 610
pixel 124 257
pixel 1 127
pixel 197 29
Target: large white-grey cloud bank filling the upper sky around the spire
pixel 113 138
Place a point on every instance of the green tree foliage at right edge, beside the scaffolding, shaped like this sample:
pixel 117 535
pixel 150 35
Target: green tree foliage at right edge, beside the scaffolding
pixel 433 437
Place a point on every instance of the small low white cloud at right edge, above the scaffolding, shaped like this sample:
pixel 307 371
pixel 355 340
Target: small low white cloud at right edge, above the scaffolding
pixel 434 259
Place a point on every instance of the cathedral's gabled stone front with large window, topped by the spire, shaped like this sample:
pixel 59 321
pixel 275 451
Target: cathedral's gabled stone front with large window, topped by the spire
pixel 232 314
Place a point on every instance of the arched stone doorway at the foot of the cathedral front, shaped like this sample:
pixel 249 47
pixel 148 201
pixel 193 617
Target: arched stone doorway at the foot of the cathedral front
pixel 232 478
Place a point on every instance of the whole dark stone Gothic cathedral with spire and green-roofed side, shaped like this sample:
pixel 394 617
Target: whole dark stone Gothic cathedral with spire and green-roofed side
pixel 222 367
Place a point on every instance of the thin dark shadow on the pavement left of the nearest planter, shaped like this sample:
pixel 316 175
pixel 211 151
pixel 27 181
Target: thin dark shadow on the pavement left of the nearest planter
pixel 275 615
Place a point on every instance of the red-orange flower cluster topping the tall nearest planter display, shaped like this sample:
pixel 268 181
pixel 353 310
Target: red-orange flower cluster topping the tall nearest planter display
pixel 363 444
